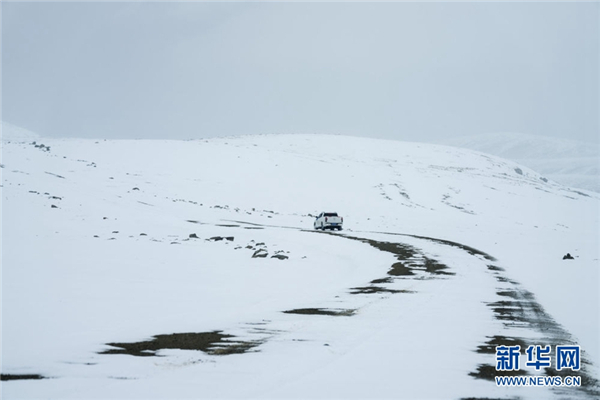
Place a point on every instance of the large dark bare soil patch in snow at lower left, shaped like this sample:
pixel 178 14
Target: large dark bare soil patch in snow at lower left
pixel 214 343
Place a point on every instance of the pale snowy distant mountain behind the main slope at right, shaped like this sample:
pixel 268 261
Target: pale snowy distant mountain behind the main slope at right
pixel 569 162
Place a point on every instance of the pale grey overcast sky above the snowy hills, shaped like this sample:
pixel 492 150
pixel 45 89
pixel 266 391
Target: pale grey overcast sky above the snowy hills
pixel 407 71
